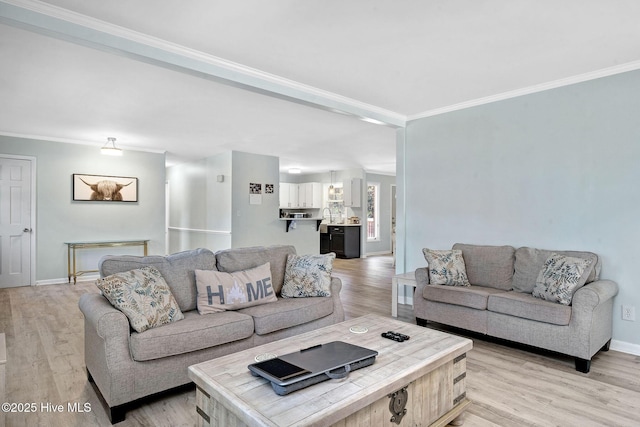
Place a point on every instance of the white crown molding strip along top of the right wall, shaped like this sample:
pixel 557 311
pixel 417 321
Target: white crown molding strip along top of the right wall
pixel 580 78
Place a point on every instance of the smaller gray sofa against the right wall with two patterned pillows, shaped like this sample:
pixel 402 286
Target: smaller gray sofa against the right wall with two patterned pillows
pixel 499 302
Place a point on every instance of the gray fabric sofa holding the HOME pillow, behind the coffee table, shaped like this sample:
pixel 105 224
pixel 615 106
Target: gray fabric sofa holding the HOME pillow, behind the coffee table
pixel 126 366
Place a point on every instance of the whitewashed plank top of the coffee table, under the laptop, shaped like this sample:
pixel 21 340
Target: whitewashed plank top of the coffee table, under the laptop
pixel 252 400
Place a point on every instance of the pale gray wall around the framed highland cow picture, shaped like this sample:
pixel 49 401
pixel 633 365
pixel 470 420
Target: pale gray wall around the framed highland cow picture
pixel 59 219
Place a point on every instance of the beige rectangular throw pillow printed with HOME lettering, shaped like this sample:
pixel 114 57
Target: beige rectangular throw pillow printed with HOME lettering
pixel 218 291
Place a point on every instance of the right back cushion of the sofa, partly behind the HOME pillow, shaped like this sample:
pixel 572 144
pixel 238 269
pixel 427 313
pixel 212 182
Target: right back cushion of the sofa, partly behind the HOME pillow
pixel 231 260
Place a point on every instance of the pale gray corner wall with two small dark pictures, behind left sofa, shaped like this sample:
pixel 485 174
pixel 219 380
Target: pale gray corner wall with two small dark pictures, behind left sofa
pixel 199 202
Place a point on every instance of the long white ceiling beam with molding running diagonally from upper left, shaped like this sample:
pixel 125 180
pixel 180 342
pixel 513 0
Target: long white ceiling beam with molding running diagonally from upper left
pixel 70 26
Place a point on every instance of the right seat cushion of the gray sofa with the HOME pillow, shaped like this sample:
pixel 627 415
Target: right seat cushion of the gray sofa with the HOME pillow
pixel 288 312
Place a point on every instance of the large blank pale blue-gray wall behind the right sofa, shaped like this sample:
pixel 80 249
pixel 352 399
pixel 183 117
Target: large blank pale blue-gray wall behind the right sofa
pixel 556 170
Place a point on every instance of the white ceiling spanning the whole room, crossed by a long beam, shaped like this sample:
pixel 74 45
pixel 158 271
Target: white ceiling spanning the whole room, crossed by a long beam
pixel 65 80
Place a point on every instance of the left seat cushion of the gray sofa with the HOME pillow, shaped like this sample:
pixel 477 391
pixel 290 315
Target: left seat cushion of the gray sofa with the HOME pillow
pixel 194 332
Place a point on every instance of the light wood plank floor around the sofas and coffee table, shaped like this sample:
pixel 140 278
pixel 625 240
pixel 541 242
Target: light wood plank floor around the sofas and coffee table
pixel 508 385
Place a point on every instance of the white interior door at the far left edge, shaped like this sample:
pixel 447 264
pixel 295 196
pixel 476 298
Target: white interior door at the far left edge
pixel 15 222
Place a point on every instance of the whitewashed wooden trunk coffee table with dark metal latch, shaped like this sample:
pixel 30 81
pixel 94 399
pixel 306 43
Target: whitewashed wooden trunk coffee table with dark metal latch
pixel 417 382
